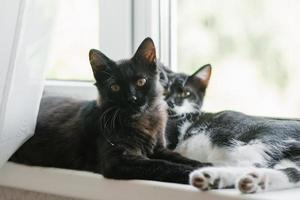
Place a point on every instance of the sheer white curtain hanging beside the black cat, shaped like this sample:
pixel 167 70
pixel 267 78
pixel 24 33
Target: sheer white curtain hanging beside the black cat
pixel 25 38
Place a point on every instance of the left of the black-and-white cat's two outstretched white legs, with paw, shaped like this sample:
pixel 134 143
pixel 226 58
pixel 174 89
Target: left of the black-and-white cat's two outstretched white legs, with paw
pixel 216 177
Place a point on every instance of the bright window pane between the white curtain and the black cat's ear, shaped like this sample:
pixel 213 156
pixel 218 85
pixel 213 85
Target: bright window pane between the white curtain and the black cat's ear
pixel 76 32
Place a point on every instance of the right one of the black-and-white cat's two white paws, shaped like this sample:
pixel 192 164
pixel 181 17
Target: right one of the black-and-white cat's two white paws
pixel 252 182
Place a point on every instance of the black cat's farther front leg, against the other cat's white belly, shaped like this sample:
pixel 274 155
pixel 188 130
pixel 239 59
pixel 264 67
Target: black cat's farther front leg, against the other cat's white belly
pixel 166 154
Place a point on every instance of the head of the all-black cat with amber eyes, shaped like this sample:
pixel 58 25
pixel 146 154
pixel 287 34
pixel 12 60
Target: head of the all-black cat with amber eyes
pixel 130 84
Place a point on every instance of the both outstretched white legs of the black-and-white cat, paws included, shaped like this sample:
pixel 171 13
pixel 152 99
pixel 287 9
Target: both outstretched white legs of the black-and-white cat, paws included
pixel 246 179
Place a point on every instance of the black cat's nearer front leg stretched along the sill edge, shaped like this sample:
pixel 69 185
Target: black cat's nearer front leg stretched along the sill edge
pixel 126 166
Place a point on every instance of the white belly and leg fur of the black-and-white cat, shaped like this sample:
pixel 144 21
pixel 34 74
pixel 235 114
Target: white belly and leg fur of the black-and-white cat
pixel 236 166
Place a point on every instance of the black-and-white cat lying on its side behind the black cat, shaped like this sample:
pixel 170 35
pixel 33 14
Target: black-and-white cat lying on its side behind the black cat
pixel 250 153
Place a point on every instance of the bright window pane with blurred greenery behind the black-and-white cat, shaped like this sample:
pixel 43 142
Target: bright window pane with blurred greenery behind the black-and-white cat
pixel 254 48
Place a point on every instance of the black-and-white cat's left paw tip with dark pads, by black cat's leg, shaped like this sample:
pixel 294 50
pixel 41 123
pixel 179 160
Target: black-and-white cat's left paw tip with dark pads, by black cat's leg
pixel 204 179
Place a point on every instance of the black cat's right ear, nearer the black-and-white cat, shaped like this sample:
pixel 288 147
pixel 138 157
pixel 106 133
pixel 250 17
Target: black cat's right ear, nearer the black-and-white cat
pixel 146 51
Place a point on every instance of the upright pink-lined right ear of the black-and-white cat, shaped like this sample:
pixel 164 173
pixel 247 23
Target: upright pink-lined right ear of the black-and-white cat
pixel 201 77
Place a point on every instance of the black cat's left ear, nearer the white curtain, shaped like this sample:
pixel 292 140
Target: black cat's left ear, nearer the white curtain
pixel 98 61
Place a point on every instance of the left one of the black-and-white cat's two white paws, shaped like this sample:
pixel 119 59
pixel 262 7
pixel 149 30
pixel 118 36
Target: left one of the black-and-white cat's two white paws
pixel 207 178
